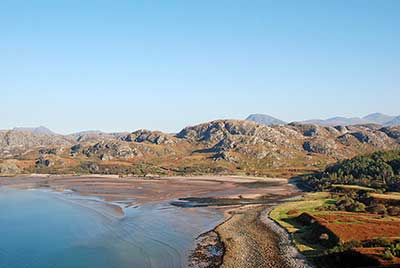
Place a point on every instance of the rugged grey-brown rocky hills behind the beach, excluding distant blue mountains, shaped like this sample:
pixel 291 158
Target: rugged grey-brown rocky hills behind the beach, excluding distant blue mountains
pixel 221 146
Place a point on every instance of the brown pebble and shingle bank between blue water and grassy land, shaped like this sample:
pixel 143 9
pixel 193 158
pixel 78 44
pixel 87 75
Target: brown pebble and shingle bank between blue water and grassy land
pixel 247 238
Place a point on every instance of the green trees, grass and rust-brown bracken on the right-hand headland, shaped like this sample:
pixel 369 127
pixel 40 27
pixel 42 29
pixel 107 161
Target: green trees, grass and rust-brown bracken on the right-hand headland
pixel 351 218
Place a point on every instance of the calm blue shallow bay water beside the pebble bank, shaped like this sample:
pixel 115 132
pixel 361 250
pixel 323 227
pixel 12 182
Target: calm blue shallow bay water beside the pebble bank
pixel 47 229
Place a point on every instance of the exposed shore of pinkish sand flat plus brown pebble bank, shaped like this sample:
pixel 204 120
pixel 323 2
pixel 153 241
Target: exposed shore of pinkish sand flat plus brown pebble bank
pixel 258 244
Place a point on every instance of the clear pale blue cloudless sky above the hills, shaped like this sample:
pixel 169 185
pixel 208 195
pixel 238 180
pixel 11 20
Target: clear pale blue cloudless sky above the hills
pixel 123 65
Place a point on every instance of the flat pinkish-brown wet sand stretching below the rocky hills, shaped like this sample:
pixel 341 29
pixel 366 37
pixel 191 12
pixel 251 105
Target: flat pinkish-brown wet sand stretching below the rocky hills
pixel 150 190
